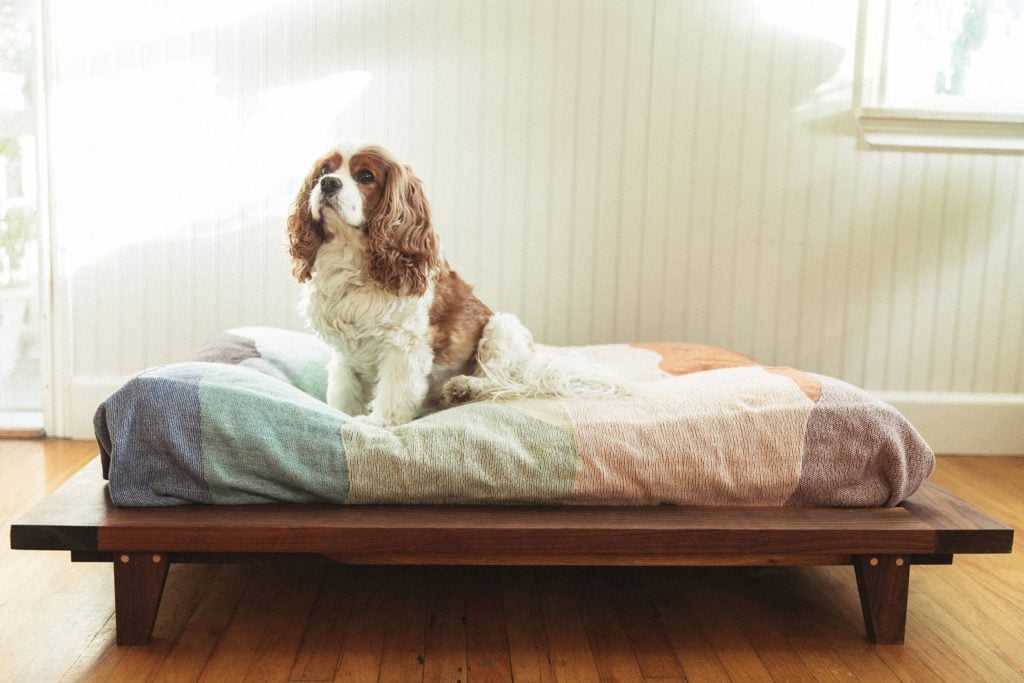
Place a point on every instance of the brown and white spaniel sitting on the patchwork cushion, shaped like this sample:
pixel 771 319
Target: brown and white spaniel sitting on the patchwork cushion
pixel 408 335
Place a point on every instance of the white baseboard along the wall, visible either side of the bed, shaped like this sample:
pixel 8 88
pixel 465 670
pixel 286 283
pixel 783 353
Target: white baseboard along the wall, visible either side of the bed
pixel 952 423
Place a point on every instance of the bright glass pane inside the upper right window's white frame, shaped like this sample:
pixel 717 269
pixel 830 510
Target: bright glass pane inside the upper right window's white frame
pixel 956 55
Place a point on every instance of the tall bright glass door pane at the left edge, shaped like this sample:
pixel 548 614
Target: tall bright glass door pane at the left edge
pixel 21 386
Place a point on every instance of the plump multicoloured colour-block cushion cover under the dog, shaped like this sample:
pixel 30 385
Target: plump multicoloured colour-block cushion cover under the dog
pixel 246 423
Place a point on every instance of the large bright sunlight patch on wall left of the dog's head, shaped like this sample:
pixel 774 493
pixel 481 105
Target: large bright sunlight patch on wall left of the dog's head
pixel 148 153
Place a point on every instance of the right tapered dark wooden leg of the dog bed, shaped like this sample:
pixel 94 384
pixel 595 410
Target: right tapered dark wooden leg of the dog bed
pixel 883 582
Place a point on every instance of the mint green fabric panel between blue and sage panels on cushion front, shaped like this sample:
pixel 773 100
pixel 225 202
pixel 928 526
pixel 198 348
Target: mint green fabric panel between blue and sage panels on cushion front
pixel 265 441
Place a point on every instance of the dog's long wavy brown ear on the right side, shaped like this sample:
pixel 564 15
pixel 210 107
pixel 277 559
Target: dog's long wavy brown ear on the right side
pixel 402 244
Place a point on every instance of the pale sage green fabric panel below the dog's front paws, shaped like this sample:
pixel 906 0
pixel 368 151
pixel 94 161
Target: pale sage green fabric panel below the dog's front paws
pixel 476 454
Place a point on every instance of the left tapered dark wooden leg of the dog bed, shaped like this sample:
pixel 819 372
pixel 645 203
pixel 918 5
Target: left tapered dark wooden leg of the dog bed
pixel 139 585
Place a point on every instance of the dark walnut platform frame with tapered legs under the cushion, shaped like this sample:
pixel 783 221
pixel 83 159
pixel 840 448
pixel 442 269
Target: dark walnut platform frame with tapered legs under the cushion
pixel 882 544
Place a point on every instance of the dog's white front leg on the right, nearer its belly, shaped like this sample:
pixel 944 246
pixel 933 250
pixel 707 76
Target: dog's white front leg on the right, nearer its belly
pixel 402 386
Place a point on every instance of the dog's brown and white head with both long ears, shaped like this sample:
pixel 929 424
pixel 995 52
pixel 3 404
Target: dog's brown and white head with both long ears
pixel 364 195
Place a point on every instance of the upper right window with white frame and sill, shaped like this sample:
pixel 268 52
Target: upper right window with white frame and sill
pixel 946 74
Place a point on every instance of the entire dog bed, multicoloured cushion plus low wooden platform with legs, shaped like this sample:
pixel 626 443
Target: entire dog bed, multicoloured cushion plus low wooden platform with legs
pixel 761 460
